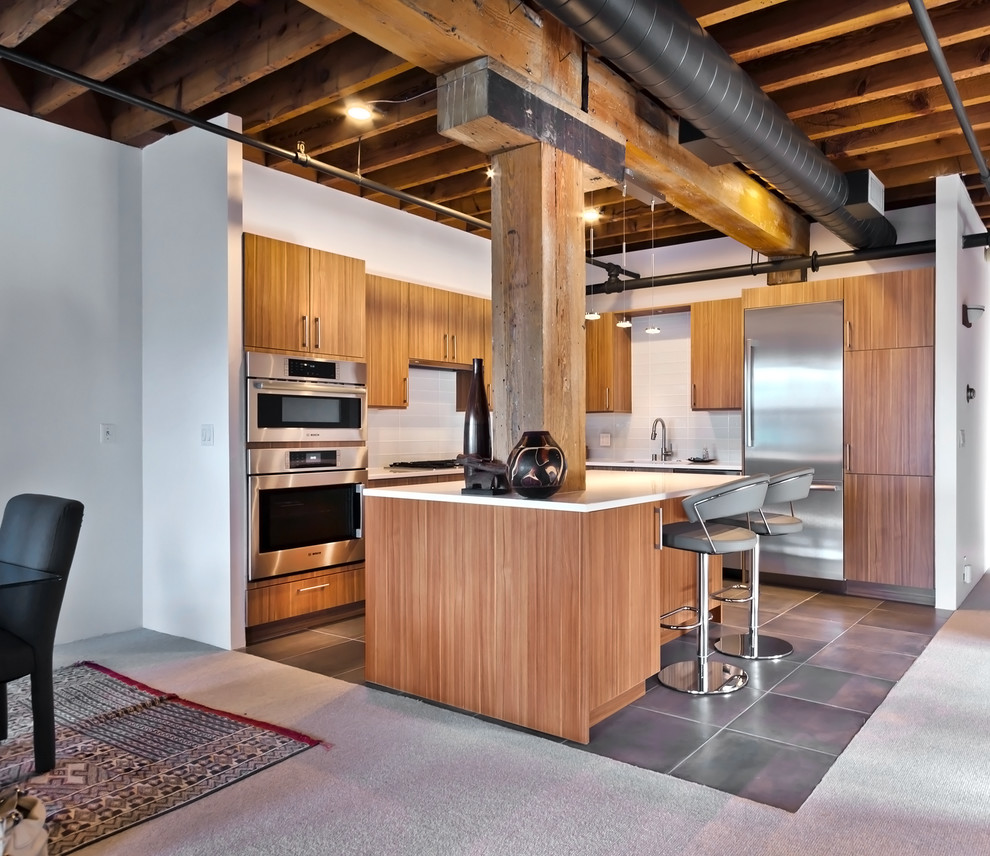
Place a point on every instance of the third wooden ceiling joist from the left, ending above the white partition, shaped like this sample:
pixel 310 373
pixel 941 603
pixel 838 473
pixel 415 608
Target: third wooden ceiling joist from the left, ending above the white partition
pixel 265 39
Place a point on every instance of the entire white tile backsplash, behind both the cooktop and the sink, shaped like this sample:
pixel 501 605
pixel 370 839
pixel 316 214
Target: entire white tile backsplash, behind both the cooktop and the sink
pixel 430 427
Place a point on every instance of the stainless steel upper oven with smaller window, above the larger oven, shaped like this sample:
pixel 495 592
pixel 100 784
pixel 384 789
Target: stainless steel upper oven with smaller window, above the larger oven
pixel 296 400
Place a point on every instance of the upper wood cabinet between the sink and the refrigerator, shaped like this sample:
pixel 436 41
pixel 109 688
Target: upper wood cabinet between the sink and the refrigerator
pixel 717 354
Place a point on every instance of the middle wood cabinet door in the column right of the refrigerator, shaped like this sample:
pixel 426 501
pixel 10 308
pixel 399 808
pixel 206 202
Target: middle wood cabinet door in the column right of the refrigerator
pixel 888 422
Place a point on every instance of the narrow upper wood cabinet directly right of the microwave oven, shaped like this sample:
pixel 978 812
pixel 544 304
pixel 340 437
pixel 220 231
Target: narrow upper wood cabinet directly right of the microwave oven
pixel 388 342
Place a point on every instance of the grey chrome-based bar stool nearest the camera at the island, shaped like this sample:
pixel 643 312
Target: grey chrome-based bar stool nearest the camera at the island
pixel 704 533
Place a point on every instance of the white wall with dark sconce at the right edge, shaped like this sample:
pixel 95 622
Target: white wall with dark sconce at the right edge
pixel 961 477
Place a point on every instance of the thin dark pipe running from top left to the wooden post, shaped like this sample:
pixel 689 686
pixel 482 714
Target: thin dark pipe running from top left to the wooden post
pixel 299 157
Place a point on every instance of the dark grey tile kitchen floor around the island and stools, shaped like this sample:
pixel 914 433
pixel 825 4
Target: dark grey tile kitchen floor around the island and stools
pixel 773 740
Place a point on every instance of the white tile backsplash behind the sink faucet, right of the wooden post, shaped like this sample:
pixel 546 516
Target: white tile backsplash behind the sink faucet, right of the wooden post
pixel 661 387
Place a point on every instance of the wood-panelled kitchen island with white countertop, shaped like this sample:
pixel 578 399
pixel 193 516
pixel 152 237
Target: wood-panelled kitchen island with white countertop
pixel 541 613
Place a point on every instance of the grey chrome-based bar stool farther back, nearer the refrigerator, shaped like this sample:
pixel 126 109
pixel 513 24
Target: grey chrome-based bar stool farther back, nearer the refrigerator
pixel 783 487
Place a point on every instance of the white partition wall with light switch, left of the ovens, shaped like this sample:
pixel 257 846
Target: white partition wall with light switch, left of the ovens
pixel 194 495
